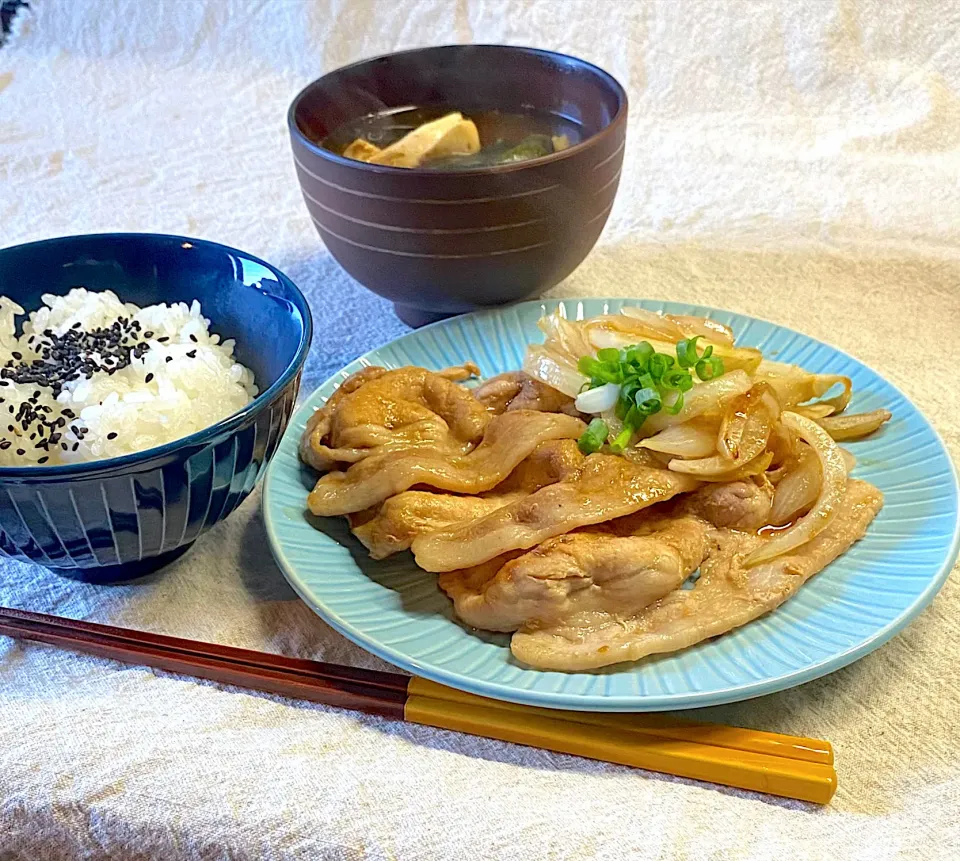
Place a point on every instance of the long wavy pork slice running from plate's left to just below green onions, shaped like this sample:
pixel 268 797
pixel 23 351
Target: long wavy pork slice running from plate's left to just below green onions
pixel 507 441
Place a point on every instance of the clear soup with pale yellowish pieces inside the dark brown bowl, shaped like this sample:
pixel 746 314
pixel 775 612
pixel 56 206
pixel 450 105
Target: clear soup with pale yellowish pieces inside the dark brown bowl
pixel 447 140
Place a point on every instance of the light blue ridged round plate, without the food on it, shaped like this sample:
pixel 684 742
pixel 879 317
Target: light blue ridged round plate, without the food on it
pixel 858 603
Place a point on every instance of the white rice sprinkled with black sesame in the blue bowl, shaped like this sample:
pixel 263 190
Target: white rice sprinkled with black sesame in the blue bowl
pixel 112 414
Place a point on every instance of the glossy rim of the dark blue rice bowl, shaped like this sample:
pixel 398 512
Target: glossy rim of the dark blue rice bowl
pixel 226 425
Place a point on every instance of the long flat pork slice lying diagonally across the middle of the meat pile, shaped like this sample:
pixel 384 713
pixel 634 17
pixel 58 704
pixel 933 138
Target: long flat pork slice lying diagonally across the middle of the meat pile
pixel 607 487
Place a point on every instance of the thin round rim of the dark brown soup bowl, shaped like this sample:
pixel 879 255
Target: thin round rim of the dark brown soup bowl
pixel 389 170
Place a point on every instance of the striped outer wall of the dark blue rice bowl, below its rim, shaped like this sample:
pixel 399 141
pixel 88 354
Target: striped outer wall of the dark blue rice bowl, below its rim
pixel 136 518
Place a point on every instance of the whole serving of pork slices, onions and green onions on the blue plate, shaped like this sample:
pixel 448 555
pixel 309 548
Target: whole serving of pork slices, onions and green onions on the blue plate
pixel 570 502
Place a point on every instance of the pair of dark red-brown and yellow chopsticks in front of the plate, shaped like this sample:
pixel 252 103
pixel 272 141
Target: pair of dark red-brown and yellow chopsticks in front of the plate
pixel 789 766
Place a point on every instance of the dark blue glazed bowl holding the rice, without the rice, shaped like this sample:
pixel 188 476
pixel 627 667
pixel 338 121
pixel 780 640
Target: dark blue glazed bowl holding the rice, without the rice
pixel 116 519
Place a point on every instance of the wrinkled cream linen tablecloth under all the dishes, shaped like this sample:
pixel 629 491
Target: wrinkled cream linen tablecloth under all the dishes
pixel 797 161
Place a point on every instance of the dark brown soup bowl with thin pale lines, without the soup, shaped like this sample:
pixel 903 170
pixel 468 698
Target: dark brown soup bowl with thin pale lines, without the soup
pixel 443 242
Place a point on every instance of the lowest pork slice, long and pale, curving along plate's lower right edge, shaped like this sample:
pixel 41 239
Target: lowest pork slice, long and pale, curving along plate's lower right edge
pixel 725 596
